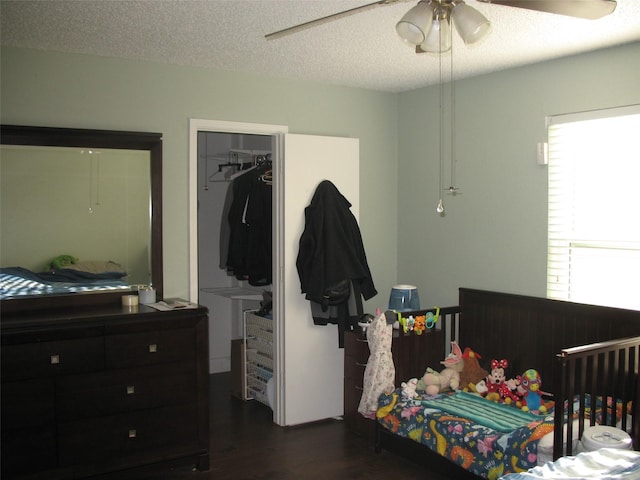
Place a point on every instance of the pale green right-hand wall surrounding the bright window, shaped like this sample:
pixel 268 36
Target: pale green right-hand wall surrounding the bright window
pixel 494 235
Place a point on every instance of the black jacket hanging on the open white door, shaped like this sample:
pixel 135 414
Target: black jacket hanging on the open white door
pixel 331 251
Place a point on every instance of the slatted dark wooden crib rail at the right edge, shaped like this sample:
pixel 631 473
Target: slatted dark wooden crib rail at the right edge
pixel 604 372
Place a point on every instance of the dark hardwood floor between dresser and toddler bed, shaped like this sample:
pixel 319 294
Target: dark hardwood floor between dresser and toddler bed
pixel 246 444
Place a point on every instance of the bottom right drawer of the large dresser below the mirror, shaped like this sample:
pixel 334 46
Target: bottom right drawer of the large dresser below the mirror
pixel 127 435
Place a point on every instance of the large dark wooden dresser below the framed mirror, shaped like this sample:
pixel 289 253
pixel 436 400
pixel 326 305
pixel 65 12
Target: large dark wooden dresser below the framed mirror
pixel 92 390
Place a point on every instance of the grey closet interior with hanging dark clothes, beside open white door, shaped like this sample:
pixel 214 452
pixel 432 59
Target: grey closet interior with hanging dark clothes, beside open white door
pixel 224 288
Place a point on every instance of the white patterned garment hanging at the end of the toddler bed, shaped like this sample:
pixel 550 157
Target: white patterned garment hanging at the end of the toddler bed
pixel 379 374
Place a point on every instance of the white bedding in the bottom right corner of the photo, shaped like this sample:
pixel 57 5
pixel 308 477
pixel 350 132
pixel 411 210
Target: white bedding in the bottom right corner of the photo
pixel 603 464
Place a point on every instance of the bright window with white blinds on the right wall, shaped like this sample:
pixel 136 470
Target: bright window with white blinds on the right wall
pixel 594 207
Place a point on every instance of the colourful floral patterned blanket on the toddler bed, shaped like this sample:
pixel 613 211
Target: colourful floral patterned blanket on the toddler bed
pixel 485 451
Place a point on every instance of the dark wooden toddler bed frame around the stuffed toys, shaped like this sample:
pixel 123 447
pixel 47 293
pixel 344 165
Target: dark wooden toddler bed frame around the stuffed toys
pixel 577 349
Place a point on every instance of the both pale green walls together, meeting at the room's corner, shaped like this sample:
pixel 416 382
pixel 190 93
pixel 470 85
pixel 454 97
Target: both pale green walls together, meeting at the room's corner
pixel 493 235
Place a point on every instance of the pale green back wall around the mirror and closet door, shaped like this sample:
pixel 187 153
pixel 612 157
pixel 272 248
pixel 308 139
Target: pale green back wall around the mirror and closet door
pixel 81 91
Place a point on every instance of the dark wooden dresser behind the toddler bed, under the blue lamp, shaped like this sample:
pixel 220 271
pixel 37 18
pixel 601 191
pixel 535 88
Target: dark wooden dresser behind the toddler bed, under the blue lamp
pixel 410 358
